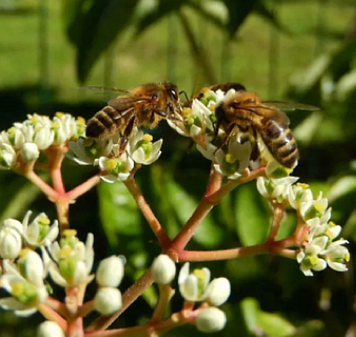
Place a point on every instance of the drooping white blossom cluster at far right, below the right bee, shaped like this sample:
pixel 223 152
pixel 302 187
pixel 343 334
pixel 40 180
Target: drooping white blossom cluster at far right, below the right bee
pixel 320 247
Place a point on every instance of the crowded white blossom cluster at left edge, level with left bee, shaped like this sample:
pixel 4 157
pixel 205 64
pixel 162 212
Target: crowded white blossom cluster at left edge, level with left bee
pixel 24 141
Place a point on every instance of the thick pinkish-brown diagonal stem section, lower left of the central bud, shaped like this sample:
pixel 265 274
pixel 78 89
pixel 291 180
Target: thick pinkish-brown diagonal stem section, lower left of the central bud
pixel 128 298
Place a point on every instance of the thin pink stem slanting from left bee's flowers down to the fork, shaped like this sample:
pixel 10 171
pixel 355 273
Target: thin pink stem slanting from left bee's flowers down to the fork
pixel 146 210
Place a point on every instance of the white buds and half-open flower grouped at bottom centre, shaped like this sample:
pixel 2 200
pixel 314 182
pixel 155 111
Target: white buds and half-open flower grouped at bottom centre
pixel 196 287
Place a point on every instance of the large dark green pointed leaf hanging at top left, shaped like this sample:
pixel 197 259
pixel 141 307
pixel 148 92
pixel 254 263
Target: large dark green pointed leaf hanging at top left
pixel 93 26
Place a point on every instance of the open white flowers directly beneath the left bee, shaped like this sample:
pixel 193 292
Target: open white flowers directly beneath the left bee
pixel 106 154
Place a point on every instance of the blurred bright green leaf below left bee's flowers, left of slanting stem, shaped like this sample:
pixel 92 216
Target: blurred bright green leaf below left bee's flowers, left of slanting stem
pixel 118 211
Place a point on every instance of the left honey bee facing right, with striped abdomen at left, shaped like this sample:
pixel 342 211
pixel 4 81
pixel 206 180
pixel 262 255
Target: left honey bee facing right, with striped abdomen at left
pixel 145 105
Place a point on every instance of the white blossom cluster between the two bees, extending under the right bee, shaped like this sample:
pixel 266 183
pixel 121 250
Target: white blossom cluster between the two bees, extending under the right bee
pixel 230 160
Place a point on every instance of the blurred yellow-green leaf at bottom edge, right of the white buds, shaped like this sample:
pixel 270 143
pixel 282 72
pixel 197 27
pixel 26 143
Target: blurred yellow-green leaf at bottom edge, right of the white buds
pixel 275 325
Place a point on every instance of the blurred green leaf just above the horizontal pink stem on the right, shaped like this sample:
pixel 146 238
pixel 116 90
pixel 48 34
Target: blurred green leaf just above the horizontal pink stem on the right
pixel 252 217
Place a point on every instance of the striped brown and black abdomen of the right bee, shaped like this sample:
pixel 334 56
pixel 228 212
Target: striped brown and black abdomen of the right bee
pixel 281 143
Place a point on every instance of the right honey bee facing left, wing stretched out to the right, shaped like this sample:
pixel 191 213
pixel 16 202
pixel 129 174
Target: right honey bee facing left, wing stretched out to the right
pixel 246 112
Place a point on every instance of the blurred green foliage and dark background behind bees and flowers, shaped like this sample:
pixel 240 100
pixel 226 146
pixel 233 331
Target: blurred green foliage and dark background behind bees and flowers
pixel 193 43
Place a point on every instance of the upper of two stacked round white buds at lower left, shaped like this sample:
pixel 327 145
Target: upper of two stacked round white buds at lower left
pixel 110 272
